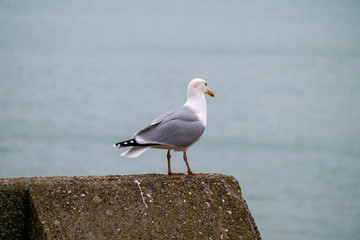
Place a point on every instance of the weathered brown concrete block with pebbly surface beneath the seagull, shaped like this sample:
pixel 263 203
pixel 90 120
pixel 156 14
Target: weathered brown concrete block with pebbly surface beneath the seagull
pixel 125 207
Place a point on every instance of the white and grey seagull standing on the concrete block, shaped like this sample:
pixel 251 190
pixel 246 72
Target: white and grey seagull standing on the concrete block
pixel 176 130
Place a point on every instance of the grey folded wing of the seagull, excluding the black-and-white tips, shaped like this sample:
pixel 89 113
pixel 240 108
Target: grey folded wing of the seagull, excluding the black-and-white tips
pixel 179 128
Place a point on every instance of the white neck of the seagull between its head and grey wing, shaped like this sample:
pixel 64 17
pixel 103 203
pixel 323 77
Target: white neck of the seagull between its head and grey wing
pixel 197 102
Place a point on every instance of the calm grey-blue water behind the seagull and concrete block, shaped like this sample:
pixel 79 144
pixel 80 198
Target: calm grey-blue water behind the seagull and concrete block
pixel 77 76
